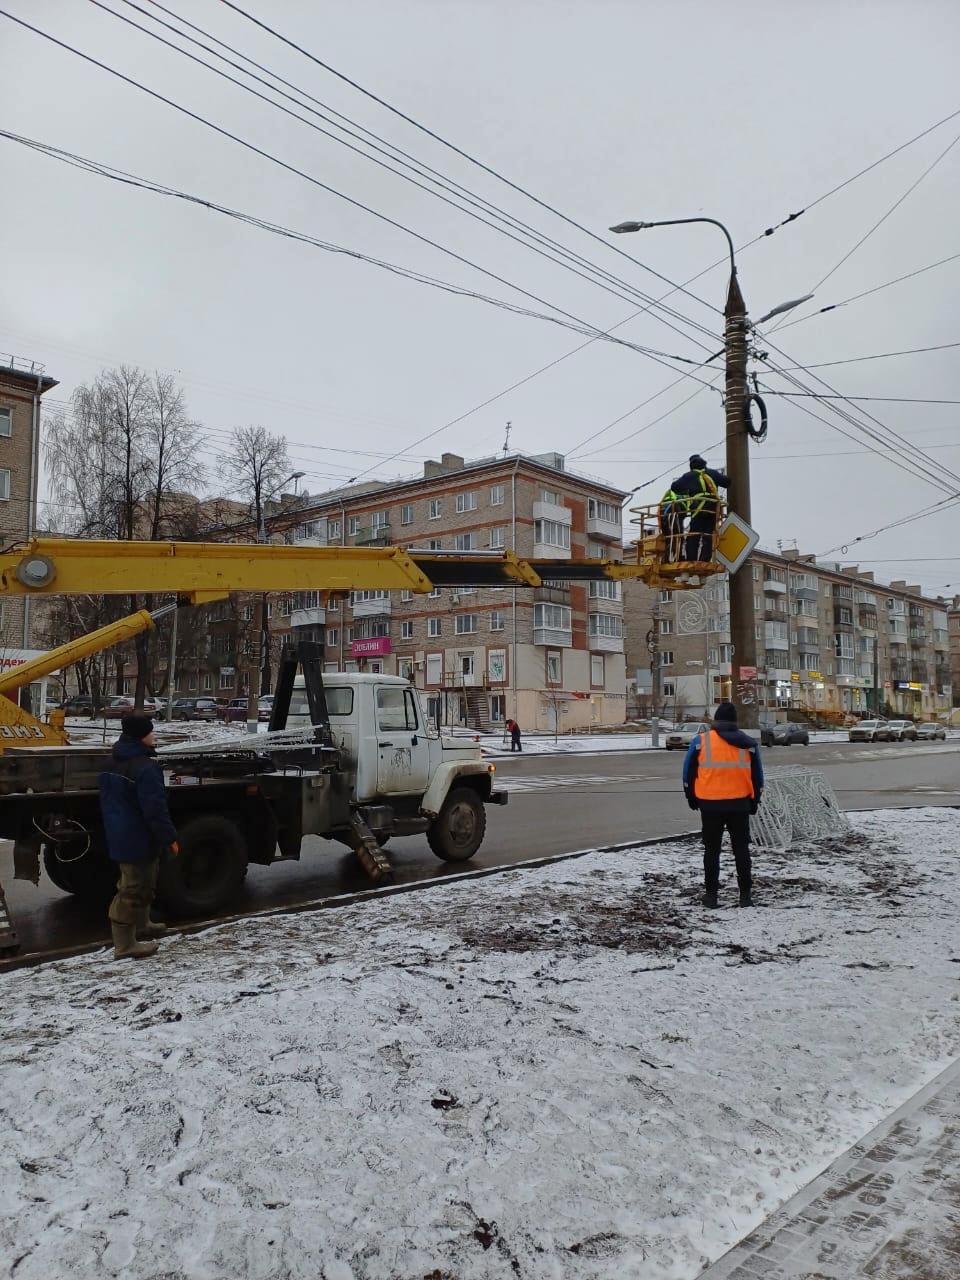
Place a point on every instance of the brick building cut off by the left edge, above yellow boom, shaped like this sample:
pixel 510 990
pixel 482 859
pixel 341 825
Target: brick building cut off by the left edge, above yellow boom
pixel 22 388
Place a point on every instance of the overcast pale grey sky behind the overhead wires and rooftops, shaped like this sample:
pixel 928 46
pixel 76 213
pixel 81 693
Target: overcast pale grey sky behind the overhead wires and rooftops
pixel 744 112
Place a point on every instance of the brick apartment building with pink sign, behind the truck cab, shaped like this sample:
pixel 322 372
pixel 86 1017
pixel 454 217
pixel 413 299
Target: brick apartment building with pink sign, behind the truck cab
pixel 546 657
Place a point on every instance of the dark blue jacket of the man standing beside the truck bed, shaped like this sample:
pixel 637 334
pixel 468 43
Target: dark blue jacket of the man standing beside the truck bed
pixel 134 803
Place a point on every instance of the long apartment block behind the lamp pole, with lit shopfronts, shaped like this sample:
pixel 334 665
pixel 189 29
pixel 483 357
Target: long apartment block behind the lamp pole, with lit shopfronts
pixel 817 629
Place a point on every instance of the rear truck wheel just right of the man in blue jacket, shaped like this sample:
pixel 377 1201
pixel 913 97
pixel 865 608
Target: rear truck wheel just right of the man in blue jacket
pixel 209 870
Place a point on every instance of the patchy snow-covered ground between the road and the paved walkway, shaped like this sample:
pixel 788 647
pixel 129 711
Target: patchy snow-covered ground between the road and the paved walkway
pixel 564 1072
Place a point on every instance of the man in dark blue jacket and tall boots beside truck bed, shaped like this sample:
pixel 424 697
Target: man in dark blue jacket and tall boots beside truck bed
pixel 139 831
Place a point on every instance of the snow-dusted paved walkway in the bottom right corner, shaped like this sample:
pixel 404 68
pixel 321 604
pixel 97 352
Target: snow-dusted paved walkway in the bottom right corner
pixel 888 1210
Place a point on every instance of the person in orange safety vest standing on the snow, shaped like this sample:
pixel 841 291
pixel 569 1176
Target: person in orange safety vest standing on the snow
pixel 724 779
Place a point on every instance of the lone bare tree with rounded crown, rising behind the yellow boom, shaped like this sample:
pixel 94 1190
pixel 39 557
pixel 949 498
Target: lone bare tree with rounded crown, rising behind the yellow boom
pixel 255 469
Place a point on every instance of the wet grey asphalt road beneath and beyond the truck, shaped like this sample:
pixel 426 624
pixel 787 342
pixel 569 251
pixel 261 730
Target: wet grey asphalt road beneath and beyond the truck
pixel 557 804
